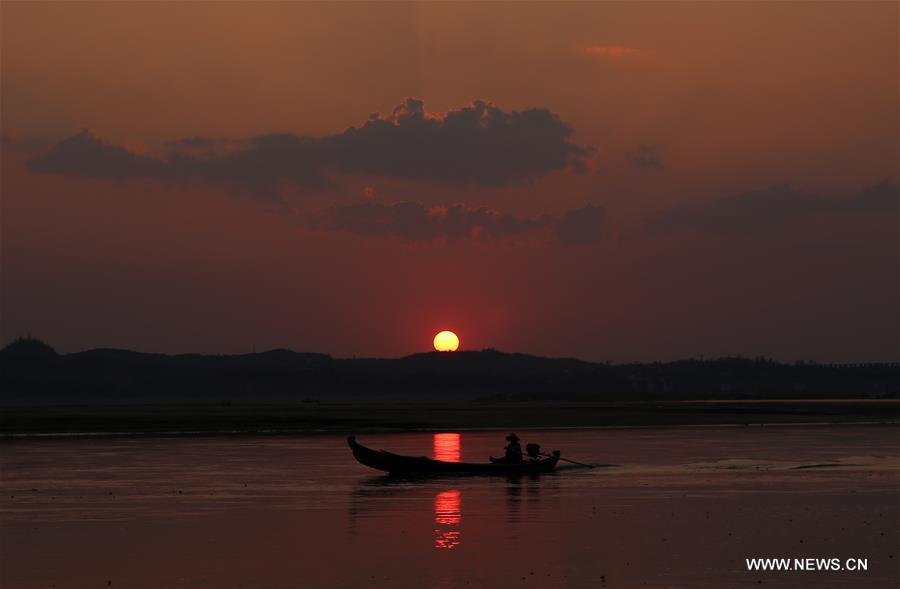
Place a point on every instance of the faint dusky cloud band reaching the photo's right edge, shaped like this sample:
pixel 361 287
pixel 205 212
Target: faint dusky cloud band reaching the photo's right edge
pixel 773 209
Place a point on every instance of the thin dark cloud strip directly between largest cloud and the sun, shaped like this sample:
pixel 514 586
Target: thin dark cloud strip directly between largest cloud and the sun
pixel 413 221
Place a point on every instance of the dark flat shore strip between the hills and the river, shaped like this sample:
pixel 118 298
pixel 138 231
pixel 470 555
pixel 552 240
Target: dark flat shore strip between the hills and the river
pixel 175 420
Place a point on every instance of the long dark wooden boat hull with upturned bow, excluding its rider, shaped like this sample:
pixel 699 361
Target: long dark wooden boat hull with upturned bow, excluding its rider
pixel 397 464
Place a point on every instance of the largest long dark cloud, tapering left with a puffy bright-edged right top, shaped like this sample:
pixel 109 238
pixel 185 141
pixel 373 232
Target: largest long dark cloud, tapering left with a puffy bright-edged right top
pixel 479 144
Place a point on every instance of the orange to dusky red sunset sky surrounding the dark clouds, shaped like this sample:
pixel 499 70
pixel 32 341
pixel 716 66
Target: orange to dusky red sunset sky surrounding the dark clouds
pixel 684 105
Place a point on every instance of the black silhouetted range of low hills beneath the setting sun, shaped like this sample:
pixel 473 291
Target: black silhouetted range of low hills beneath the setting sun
pixel 31 371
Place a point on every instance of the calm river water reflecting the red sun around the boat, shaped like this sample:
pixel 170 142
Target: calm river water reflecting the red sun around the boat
pixel 684 508
